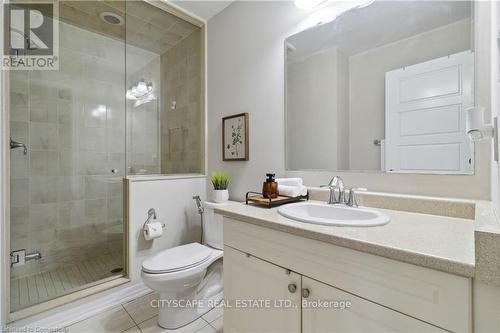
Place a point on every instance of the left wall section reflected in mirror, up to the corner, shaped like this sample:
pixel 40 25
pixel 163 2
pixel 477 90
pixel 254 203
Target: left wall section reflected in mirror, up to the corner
pixel 312 95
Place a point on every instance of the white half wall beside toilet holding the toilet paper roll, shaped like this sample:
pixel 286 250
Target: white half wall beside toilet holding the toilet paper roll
pixel 172 198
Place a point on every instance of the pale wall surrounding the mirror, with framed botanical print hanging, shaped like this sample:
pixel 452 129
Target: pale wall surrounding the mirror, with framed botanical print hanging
pixel 245 74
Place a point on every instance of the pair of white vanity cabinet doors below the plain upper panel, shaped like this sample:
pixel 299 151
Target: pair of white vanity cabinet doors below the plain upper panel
pixel 263 297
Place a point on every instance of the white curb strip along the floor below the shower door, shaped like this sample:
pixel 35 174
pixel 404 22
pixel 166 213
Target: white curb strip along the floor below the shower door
pixel 76 311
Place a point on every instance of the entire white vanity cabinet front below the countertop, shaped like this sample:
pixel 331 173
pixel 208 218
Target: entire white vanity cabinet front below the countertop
pixel 385 295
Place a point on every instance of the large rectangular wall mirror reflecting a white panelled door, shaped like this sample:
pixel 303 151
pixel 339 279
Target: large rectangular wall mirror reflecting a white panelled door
pixel 383 88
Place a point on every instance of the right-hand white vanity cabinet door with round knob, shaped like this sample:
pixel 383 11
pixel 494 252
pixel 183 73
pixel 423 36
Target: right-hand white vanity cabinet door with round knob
pixel 361 316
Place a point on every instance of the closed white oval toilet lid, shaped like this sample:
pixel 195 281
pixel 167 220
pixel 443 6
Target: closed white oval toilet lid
pixel 177 258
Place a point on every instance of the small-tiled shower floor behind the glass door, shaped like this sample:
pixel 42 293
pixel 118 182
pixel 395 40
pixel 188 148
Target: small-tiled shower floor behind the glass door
pixel 40 287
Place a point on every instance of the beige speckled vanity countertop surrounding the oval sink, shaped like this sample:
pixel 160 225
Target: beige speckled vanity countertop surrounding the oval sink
pixel 438 242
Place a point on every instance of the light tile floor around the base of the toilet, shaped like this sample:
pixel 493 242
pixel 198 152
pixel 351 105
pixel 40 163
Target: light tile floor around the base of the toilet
pixel 138 316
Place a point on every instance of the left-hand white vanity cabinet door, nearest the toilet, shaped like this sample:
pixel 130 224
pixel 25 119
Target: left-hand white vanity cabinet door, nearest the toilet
pixel 260 296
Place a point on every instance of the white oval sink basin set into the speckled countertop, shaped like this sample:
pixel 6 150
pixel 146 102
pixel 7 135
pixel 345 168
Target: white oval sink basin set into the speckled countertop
pixel 335 215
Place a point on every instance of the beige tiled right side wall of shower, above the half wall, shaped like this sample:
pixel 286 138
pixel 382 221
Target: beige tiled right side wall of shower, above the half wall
pixel 181 128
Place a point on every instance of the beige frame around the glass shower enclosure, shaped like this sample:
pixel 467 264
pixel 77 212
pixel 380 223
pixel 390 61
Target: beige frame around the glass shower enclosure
pixel 6 316
